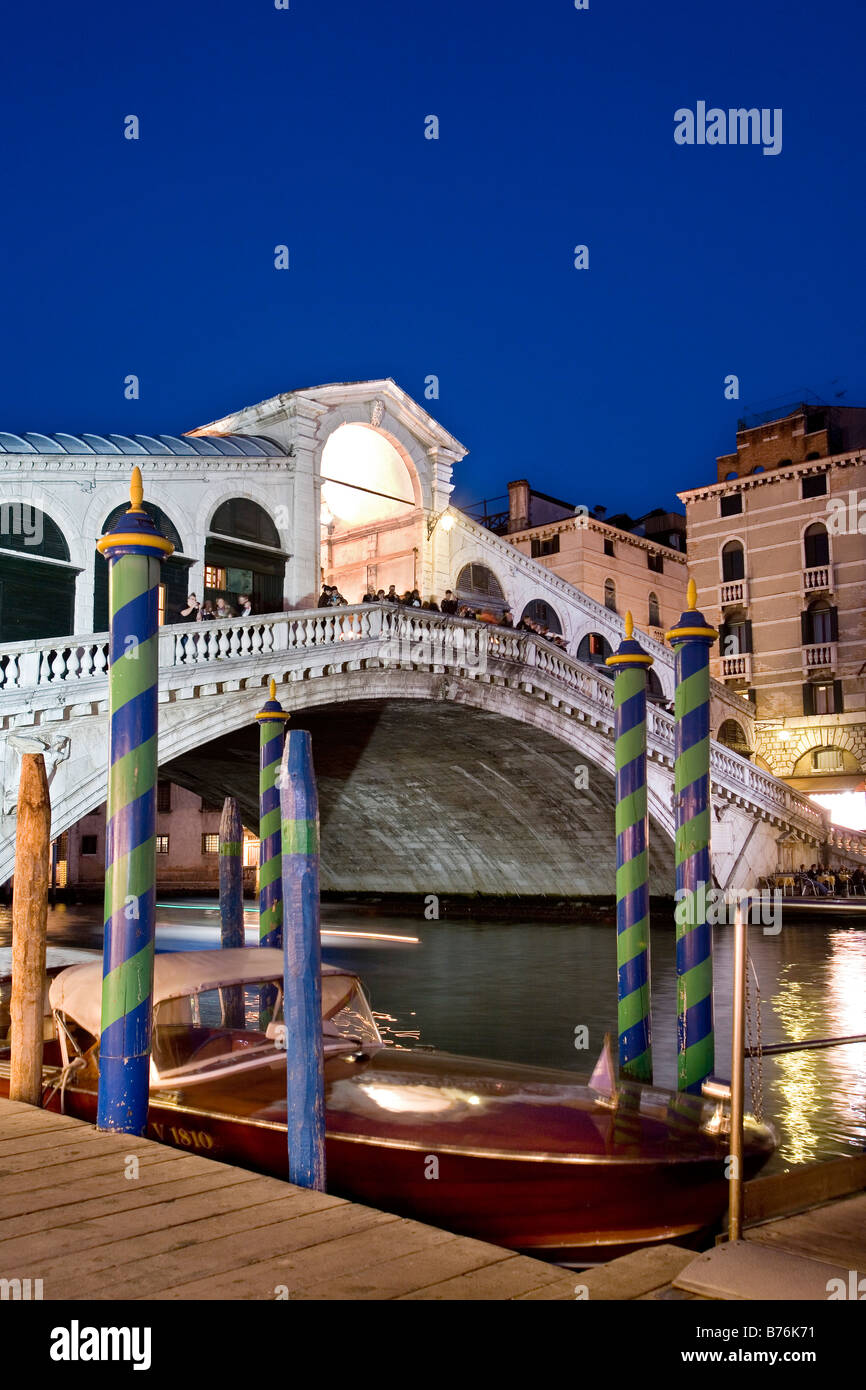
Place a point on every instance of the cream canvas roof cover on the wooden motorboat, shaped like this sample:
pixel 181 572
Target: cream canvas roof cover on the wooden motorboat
pixel 79 992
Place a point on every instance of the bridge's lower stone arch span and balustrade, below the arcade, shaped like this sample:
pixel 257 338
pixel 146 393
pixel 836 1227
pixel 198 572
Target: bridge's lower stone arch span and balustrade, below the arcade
pixel 454 757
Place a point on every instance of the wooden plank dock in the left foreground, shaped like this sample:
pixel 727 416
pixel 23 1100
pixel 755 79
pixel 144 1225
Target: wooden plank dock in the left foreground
pixel 106 1217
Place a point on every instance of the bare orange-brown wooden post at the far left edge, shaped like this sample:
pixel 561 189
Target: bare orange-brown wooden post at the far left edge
pixel 30 919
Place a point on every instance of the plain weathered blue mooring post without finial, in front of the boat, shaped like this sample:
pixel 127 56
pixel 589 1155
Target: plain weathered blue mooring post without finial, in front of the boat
pixel 302 964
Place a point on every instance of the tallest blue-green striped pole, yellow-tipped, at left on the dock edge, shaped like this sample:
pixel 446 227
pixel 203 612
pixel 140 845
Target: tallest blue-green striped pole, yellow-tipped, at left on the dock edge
pixel 134 553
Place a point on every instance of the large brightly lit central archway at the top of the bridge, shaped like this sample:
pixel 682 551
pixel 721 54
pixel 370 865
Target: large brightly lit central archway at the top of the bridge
pixel 372 525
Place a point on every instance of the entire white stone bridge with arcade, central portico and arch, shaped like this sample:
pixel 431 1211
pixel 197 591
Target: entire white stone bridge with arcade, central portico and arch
pixel 454 757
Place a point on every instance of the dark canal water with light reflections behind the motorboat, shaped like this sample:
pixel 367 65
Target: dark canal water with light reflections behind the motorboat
pixel 523 992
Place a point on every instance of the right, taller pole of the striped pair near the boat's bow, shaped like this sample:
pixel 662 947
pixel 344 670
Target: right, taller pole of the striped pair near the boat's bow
pixel 692 640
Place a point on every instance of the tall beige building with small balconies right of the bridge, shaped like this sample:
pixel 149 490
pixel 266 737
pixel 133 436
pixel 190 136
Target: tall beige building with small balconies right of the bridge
pixel 778 550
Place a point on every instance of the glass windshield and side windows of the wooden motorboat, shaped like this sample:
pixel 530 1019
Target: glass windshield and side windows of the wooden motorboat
pixel 197 1036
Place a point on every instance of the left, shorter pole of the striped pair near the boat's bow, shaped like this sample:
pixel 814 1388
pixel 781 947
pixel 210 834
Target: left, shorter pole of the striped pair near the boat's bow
pixel 630 664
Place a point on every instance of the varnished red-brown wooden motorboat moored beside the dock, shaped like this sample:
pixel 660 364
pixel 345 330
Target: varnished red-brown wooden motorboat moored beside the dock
pixel 523 1157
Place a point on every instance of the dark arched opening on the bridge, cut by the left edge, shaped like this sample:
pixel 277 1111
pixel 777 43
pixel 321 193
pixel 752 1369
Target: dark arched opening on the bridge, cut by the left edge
pixel 37 580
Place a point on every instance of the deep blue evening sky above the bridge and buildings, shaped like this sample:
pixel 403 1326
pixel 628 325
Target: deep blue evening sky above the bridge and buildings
pixel 411 256
